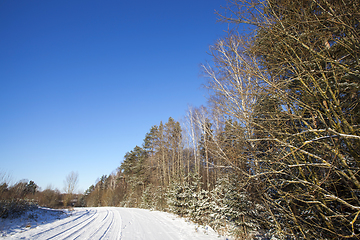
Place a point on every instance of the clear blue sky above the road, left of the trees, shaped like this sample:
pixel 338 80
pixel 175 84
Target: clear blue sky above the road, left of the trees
pixel 82 82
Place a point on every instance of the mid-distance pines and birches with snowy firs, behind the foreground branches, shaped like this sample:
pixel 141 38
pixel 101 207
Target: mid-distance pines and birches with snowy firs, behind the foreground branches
pixel 178 169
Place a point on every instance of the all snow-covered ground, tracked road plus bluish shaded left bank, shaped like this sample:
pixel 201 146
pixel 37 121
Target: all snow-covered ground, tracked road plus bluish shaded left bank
pixel 102 223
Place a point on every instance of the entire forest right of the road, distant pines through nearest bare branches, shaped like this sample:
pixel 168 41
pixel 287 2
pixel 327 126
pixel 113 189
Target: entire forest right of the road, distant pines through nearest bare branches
pixel 276 151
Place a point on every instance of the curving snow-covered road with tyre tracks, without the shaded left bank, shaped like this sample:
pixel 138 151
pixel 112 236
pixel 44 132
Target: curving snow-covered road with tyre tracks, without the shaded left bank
pixel 117 223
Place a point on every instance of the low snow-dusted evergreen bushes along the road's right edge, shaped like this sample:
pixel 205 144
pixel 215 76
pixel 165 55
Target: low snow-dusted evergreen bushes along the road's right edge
pixel 225 208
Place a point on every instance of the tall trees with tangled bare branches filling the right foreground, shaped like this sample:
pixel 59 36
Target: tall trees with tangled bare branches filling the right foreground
pixel 293 87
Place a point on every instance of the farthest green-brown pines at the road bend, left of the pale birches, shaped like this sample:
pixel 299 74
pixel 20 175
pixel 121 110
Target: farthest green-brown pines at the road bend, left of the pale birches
pixel 147 171
